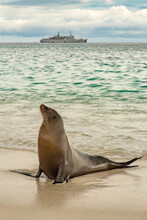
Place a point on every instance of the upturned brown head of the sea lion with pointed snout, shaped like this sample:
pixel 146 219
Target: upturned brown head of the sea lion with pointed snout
pixel 51 119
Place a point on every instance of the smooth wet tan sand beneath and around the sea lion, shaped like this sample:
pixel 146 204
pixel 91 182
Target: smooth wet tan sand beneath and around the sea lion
pixel 116 194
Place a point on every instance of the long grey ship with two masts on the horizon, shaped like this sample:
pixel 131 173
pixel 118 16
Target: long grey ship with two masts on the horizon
pixel 62 39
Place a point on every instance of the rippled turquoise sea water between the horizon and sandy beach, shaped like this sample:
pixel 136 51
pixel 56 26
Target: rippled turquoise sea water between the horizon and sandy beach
pixel 99 89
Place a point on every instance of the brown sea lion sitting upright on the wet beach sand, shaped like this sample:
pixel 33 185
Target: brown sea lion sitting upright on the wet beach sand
pixel 58 160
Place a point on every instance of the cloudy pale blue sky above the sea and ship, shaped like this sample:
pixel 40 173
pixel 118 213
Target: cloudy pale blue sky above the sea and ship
pixel 96 20
